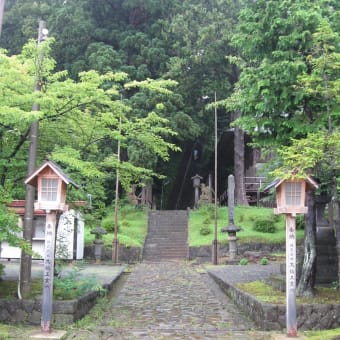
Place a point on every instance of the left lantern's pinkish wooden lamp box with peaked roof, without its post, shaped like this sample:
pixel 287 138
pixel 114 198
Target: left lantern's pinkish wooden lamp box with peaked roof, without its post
pixel 51 183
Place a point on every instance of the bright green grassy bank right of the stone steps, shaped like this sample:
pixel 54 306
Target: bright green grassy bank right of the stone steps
pixel 244 218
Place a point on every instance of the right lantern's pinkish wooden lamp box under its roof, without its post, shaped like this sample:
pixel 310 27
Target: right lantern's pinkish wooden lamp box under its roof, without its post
pixel 291 195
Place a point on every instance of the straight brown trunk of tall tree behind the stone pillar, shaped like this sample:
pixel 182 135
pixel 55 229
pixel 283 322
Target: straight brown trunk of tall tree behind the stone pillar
pixel 239 169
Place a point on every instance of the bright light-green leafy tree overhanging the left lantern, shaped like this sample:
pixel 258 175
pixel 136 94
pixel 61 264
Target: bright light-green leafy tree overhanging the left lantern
pixel 77 119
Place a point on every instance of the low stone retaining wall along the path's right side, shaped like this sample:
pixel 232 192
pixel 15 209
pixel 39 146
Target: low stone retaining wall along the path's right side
pixel 270 317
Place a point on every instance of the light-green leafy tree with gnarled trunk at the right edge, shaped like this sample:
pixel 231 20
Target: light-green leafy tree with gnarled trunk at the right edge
pixel 319 152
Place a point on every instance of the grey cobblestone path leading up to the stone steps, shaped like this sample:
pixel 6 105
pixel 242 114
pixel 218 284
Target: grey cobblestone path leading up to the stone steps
pixel 169 300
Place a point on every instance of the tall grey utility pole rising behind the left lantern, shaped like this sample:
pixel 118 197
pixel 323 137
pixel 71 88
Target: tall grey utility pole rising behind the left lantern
pixel 26 259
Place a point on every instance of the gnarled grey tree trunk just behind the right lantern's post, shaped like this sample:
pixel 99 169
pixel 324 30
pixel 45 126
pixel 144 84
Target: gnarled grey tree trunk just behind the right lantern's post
pixel 307 279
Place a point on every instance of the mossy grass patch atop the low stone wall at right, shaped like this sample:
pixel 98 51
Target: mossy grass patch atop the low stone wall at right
pixel 268 294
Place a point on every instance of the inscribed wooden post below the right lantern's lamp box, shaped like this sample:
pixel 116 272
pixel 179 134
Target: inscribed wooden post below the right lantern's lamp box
pixel 291 323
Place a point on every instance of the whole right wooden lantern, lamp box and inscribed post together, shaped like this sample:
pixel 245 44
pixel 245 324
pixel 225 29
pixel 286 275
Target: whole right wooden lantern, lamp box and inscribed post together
pixel 290 200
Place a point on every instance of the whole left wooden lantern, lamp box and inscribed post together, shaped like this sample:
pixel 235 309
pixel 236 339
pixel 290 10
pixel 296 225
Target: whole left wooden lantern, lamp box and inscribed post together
pixel 51 185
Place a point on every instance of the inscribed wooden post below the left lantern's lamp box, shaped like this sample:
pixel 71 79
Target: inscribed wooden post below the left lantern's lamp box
pixel 47 297
